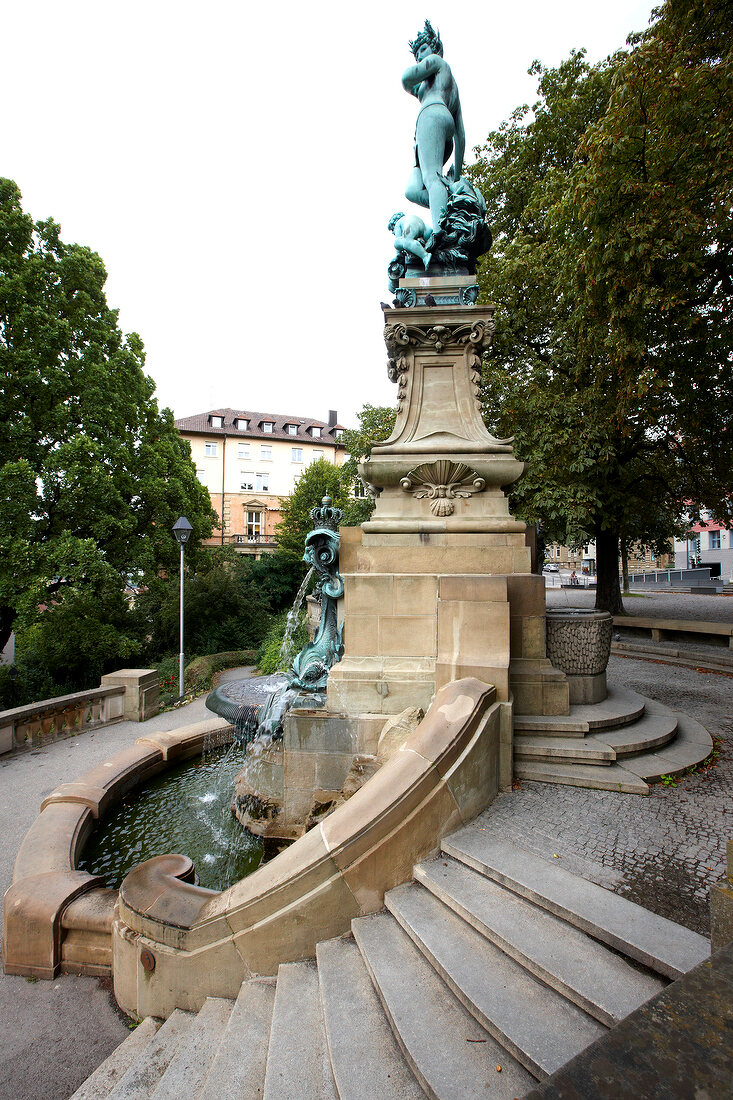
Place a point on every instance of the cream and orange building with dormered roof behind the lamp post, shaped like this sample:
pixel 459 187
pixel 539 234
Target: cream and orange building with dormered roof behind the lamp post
pixel 249 461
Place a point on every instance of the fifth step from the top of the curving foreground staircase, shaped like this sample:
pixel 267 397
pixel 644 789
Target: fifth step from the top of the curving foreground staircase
pixel 366 1059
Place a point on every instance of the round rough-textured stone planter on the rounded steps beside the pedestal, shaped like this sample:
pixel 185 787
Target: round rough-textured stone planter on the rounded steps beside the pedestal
pixel 579 644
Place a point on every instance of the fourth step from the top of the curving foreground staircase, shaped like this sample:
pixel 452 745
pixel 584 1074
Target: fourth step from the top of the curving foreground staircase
pixel 451 1054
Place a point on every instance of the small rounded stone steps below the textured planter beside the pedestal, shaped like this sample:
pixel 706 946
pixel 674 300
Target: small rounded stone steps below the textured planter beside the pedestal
pixel 622 744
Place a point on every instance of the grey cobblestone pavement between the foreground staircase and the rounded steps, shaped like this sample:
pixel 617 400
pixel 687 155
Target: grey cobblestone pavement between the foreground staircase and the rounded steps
pixel 663 852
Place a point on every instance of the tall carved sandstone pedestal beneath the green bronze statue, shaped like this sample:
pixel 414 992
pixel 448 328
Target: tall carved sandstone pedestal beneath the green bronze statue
pixel 439 582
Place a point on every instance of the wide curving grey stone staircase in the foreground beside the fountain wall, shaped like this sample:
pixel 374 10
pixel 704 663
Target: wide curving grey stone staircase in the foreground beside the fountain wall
pixel 486 974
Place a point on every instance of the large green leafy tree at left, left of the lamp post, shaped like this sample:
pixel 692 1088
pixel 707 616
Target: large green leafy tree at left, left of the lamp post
pixel 93 476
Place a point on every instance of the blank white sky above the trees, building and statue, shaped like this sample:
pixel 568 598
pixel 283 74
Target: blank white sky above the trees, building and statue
pixel 236 167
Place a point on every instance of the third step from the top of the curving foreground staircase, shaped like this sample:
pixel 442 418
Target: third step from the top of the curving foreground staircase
pixel 538 1026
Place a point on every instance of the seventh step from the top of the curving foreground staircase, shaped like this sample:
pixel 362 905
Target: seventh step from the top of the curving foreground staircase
pixel 238 1070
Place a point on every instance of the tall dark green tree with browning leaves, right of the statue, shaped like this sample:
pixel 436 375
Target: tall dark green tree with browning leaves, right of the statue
pixel 614 223
